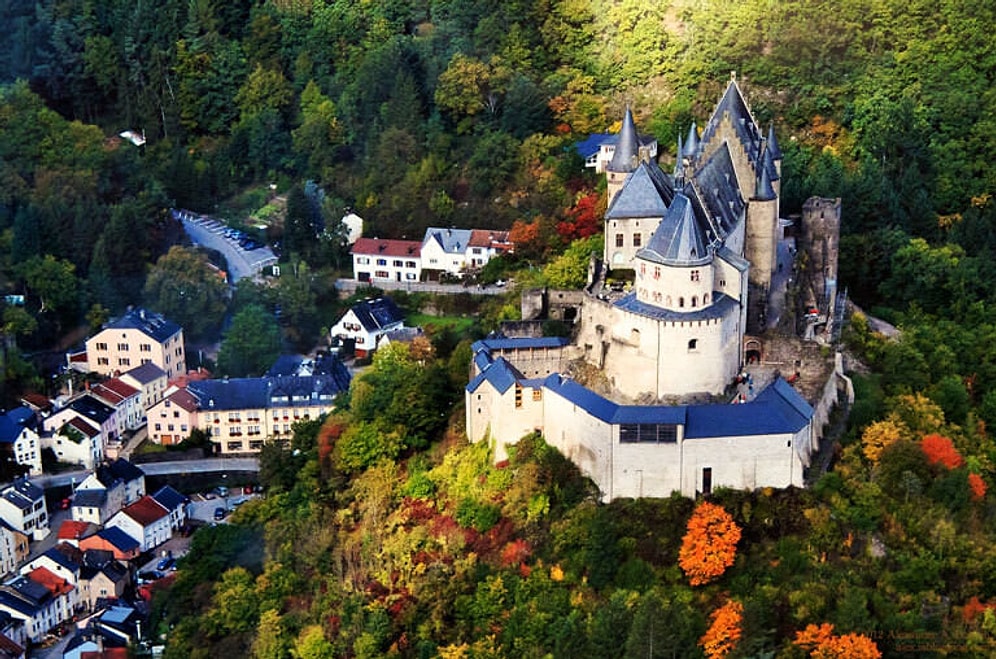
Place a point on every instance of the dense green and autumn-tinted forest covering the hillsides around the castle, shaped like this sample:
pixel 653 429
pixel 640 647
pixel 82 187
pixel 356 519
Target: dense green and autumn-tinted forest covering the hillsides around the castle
pixel 384 534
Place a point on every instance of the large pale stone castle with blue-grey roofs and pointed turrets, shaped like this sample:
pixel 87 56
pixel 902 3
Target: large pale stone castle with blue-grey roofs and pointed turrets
pixel 701 247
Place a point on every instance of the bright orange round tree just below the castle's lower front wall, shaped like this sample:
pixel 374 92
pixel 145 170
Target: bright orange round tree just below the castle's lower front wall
pixel 709 545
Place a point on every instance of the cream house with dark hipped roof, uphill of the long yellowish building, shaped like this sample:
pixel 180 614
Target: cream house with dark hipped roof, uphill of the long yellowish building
pixel 139 337
